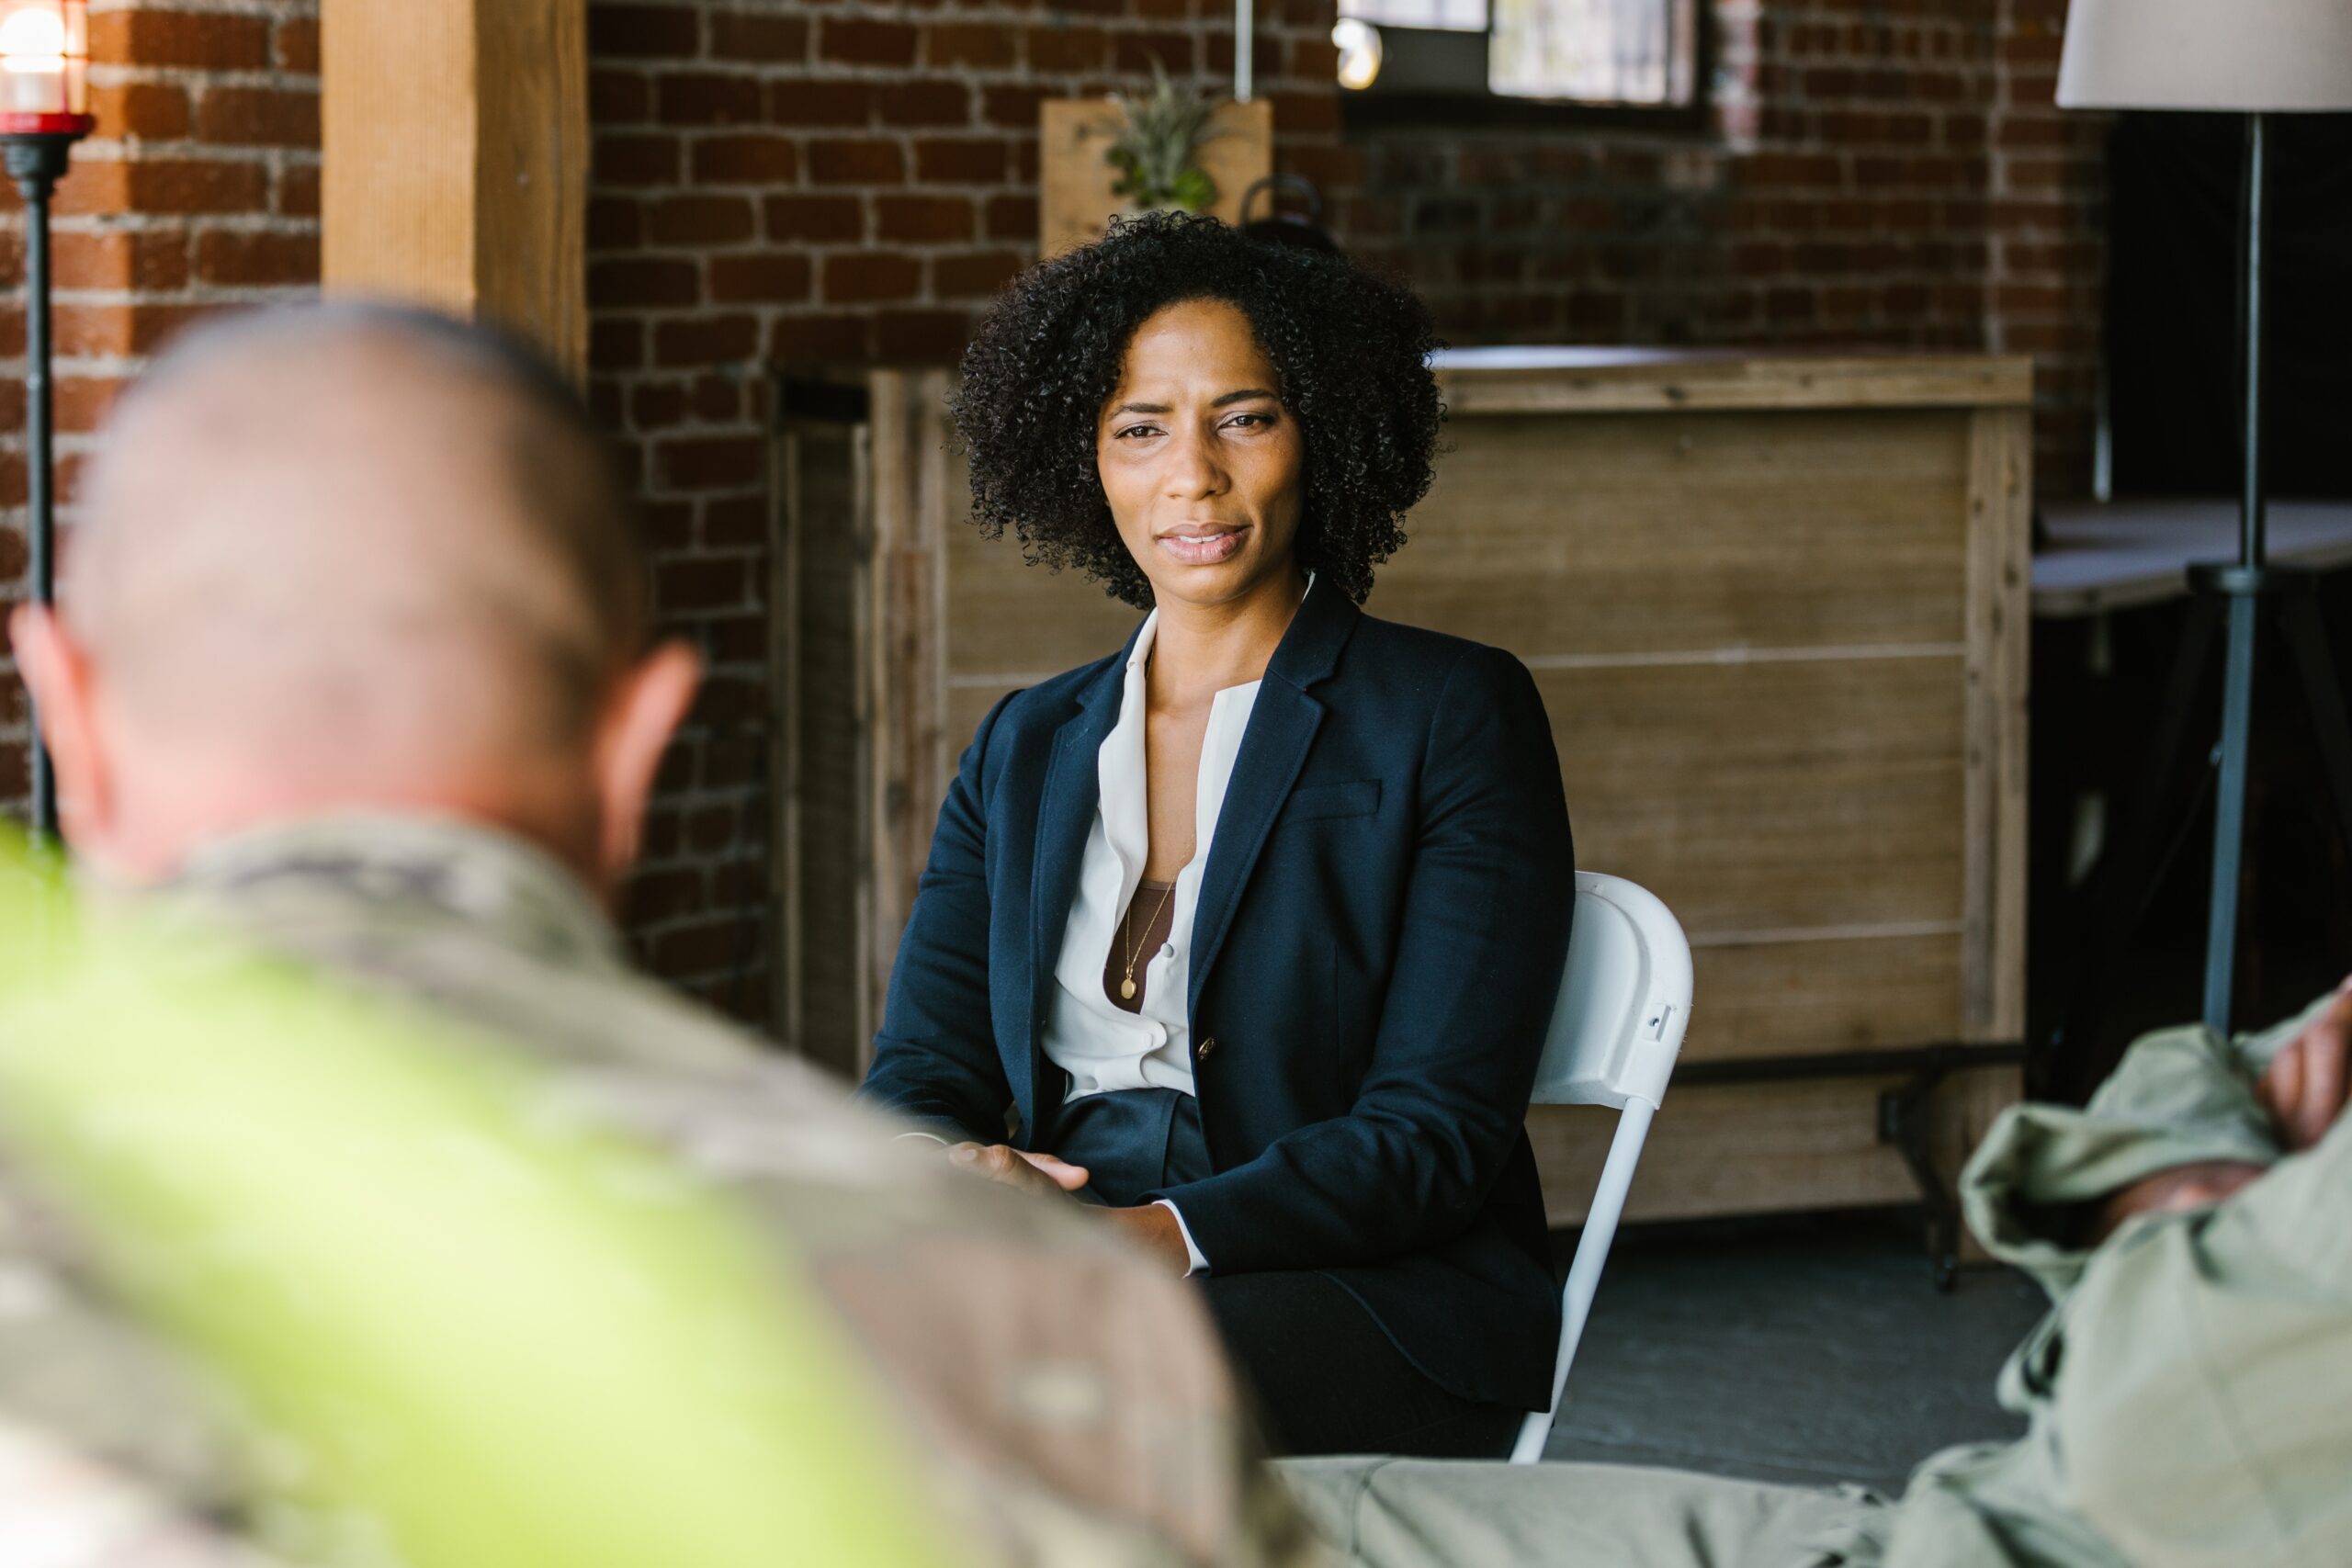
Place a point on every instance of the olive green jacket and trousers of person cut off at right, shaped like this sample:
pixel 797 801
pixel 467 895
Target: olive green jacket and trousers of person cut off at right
pixel 2189 1398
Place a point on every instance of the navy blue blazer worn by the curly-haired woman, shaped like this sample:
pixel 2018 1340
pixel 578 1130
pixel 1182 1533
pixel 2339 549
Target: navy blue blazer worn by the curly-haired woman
pixel 1375 956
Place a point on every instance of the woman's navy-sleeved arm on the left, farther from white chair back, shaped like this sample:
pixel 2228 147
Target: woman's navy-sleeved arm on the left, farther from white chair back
pixel 937 1054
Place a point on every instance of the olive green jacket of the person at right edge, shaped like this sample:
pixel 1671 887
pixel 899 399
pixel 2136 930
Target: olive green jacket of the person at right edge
pixel 2189 1393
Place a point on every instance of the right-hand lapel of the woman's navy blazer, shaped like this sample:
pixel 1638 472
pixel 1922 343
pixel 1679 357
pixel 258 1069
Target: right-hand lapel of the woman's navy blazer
pixel 1281 730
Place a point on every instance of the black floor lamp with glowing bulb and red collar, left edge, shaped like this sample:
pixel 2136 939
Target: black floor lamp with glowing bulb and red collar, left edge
pixel 44 112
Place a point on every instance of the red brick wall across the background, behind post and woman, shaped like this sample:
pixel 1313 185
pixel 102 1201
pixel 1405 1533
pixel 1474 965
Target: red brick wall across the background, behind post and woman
pixel 850 182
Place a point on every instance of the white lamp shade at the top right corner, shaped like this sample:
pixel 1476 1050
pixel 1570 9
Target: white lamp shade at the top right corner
pixel 2219 55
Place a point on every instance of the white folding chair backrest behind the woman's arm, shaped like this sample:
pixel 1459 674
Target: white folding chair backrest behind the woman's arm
pixel 1624 1000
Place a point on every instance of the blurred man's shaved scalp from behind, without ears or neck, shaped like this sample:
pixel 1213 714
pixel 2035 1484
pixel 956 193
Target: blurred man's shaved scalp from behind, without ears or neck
pixel 363 532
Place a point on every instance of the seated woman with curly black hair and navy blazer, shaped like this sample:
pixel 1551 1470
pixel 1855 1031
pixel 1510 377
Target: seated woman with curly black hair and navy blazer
pixel 1250 932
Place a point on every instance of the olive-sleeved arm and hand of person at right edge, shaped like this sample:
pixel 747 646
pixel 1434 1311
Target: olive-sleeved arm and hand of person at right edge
pixel 2186 1123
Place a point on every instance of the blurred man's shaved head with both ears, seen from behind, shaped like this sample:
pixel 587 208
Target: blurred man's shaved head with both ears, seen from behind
pixel 352 561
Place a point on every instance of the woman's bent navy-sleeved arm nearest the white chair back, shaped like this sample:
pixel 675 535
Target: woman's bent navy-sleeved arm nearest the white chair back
pixel 1455 1059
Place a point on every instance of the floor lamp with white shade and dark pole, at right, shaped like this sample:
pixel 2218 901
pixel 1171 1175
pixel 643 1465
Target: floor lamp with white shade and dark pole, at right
pixel 2257 60
